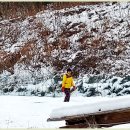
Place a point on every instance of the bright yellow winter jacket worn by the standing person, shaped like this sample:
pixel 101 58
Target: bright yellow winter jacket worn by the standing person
pixel 67 81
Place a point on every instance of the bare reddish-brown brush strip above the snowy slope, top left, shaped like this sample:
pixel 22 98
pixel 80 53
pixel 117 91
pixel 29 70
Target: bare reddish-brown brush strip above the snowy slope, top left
pixel 14 10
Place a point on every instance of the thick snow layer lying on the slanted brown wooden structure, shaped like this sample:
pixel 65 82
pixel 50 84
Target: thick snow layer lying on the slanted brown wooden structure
pixel 116 103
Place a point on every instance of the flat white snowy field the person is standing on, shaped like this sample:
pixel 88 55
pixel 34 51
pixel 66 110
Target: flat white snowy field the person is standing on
pixel 33 112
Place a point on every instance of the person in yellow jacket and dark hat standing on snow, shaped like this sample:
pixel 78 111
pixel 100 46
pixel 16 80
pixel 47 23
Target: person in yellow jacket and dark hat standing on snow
pixel 67 84
